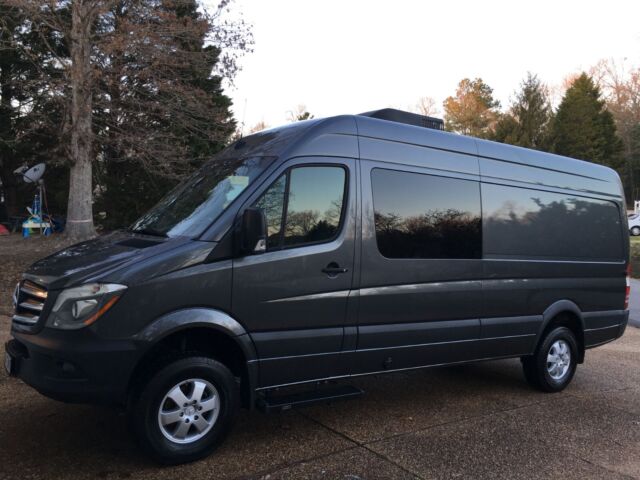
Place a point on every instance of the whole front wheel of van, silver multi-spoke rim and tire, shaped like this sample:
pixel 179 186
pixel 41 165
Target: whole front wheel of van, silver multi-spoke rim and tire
pixel 186 409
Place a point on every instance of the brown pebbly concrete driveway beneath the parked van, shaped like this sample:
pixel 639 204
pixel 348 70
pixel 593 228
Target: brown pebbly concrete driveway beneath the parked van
pixel 476 421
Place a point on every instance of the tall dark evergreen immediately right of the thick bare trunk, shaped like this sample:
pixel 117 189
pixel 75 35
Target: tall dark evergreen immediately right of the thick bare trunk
pixel 135 175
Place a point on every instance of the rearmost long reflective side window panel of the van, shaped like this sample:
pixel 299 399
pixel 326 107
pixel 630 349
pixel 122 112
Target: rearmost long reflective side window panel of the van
pixel 531 223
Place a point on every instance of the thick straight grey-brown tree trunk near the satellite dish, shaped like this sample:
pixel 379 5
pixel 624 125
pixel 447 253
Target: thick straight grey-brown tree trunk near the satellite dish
pixel 79 210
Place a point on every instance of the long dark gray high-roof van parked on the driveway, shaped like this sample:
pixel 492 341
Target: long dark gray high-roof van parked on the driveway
pixel 324 250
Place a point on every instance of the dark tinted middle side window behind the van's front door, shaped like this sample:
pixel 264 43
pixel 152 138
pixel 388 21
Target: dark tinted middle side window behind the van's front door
pixel 425 216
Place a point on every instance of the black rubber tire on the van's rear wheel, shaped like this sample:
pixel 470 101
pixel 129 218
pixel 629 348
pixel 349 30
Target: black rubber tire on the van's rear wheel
pixel 536 369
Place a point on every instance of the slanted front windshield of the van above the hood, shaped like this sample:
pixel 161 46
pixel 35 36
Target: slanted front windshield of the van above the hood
pixel 194 204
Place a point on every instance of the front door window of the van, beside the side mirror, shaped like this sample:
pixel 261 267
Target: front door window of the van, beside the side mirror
pixel 313 197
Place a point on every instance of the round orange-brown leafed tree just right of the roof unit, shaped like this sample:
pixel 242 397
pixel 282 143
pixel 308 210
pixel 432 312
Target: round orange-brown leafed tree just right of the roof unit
pixel 473 110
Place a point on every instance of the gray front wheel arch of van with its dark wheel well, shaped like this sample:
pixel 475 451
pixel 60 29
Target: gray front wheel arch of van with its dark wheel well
pixel 204 330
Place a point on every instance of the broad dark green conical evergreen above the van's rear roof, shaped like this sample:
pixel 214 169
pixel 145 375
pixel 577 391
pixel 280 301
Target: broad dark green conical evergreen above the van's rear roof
pixel 583 128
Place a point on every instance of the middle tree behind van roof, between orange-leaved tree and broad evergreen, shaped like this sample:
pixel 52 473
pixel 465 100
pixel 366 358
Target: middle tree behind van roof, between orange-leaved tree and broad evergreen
pixel 527 121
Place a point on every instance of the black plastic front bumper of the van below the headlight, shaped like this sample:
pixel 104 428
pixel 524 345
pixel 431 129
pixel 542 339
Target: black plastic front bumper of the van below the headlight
pixel 73 366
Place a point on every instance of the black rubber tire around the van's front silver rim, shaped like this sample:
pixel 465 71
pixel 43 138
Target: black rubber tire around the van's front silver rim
pixel 144 412
